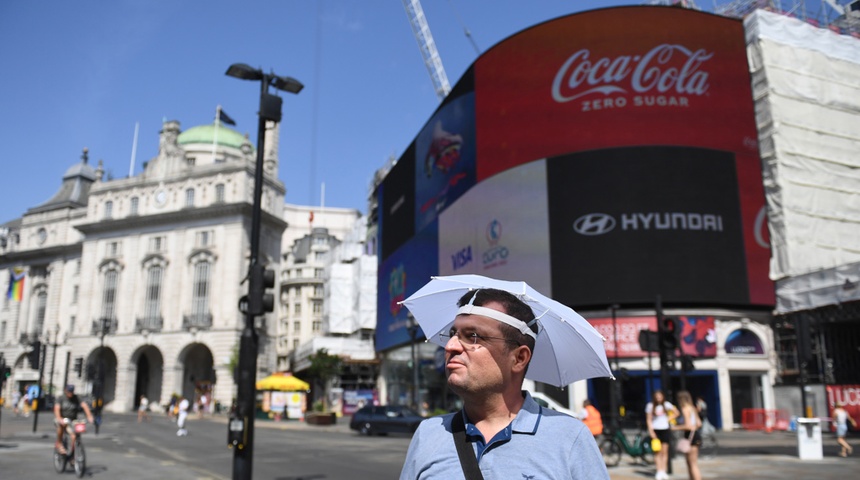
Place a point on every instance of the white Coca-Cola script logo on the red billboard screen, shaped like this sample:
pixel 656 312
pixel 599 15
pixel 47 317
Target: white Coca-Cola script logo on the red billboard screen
pixel 665 69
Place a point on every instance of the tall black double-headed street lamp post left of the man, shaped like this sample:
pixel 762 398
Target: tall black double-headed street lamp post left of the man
pixel 241 425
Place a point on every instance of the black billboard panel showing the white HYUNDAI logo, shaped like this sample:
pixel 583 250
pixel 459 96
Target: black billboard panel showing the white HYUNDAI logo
pixel 627 224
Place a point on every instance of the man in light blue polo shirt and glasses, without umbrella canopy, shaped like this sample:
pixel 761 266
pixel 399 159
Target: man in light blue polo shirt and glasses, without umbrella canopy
pixel 509 435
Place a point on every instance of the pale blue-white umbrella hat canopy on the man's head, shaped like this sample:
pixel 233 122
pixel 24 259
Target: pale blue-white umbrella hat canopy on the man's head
pixel 567 347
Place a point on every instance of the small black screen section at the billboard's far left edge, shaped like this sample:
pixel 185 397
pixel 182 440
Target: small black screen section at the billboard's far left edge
pixel 397 204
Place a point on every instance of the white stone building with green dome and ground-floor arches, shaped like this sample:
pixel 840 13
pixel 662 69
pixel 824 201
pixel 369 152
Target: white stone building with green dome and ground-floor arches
pixel 141 277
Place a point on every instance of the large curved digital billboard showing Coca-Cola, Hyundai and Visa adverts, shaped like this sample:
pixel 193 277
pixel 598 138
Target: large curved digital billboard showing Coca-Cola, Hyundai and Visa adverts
pixel 605 157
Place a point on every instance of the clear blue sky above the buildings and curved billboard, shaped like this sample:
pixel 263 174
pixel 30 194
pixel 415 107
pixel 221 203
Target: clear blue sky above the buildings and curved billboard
pixel 83 73
